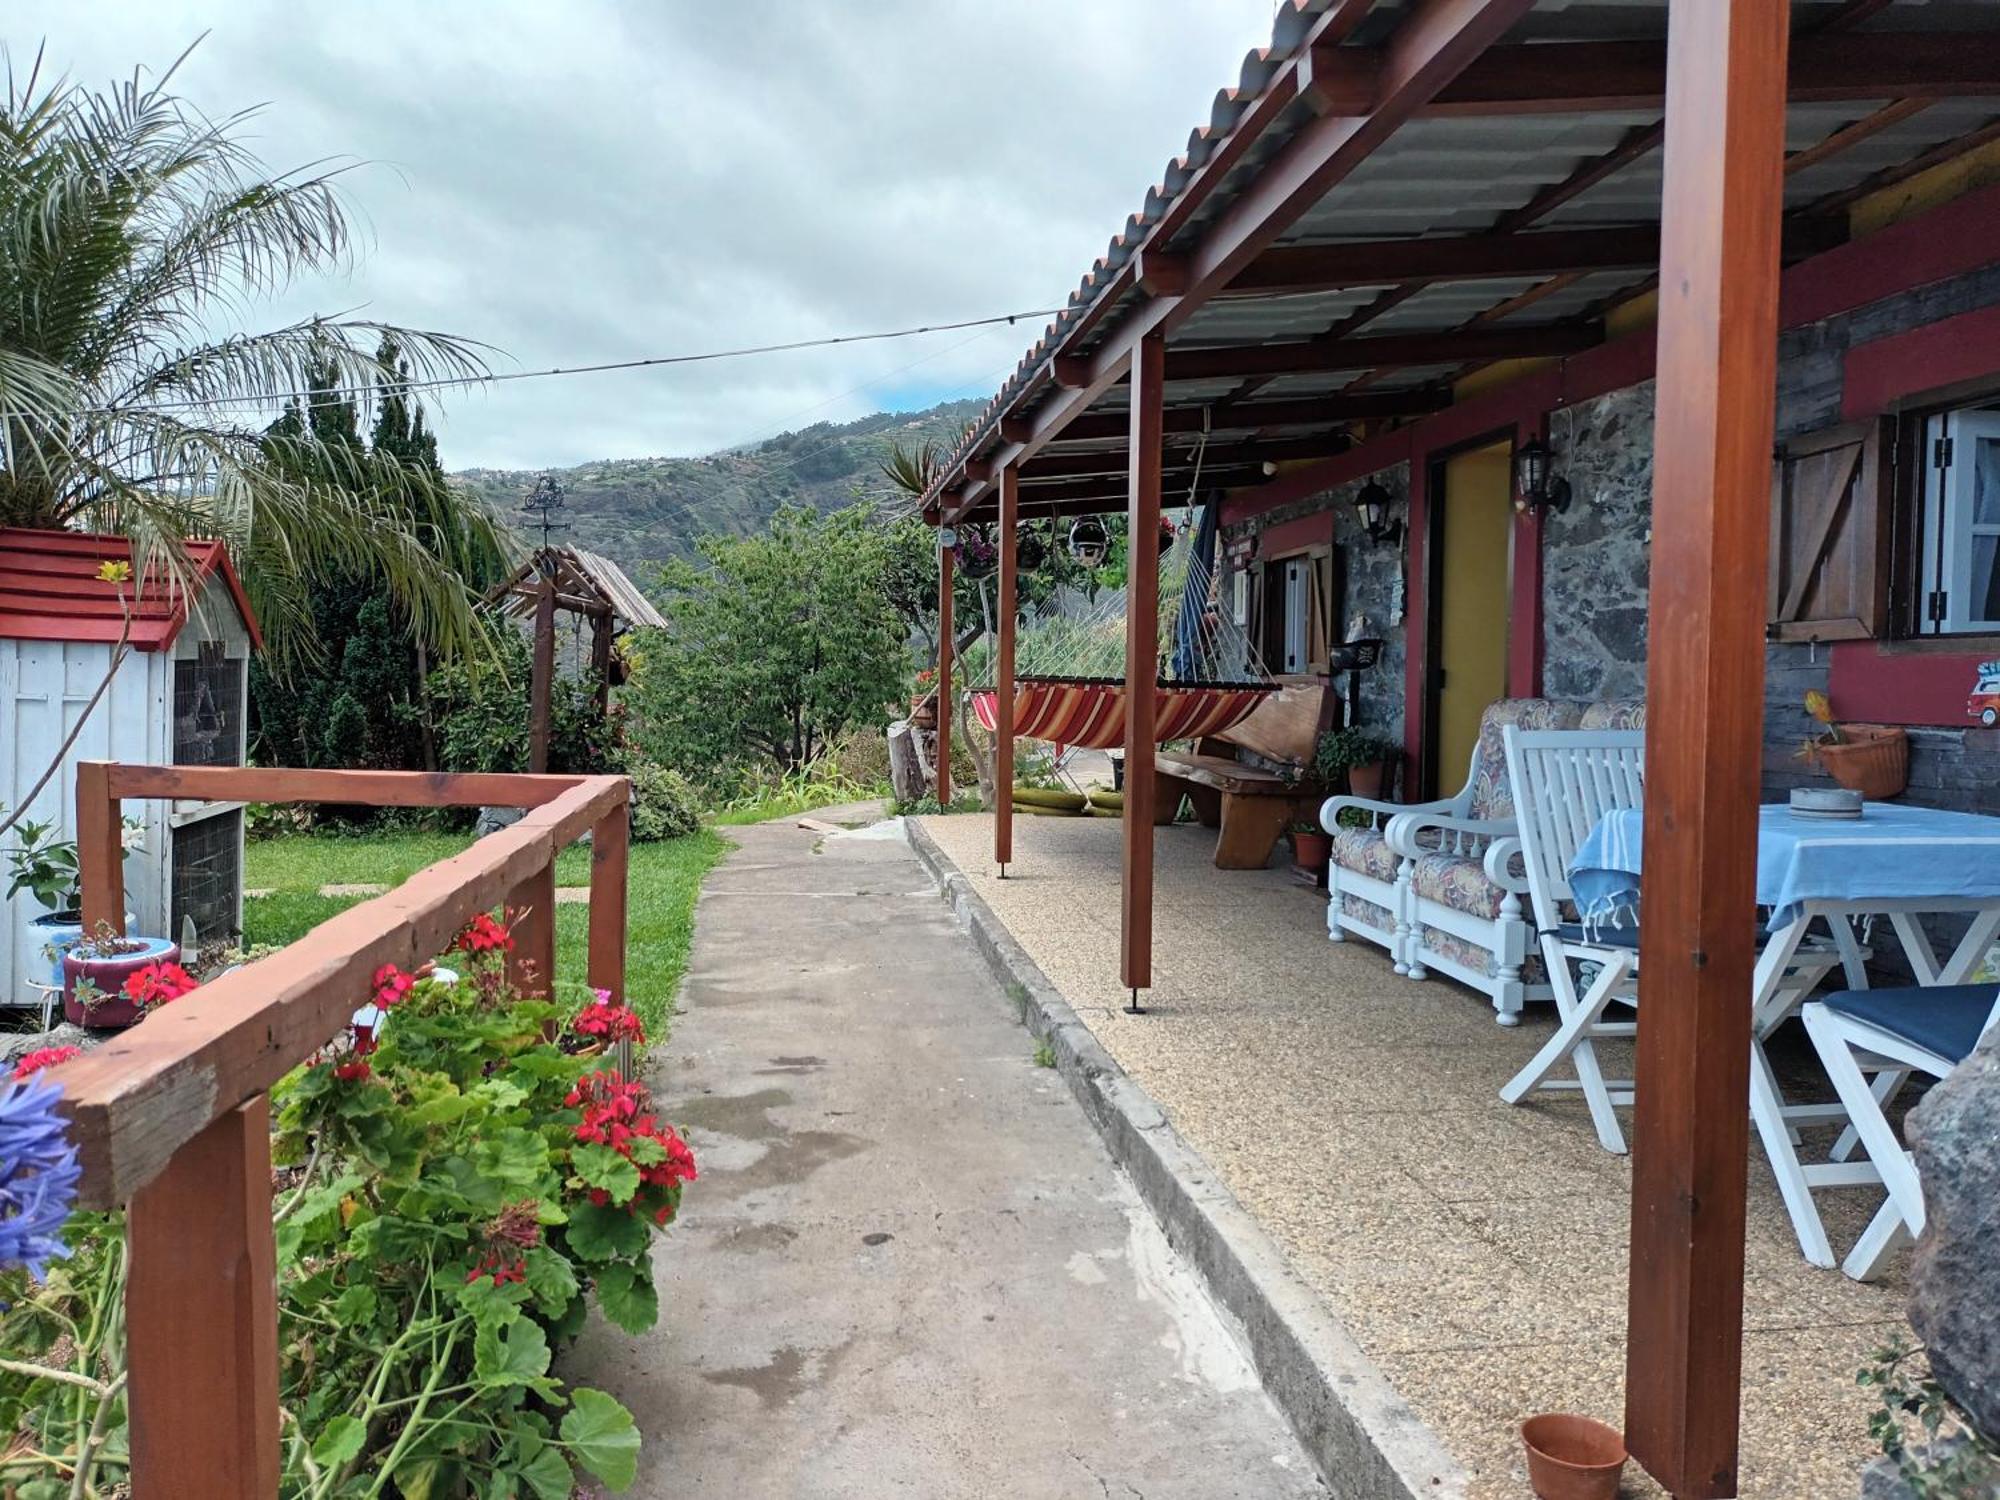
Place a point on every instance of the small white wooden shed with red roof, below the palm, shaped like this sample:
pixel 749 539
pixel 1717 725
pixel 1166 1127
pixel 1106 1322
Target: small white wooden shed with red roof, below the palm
pixel 179 697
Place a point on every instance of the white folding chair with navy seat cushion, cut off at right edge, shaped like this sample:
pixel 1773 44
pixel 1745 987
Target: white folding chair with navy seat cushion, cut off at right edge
pixel 1893 1033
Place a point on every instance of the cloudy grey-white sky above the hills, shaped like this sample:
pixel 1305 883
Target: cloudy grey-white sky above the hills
pixel 577 183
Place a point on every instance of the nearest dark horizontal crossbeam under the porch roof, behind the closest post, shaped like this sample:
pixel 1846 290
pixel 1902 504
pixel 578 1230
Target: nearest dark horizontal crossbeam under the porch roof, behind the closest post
pixel 1631 75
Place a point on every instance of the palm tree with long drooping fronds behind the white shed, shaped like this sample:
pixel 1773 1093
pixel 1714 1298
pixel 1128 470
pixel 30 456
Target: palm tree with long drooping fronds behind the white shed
pixel 131 231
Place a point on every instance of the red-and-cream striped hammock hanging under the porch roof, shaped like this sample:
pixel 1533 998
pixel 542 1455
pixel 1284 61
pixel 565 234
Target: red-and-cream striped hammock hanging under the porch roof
pixel 1069 683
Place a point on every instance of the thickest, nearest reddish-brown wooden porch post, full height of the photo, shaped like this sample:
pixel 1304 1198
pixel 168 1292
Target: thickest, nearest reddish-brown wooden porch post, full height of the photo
pixel 1705 687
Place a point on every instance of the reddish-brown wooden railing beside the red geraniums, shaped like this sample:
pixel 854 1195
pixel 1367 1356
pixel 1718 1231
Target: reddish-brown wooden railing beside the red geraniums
pixel 173 1119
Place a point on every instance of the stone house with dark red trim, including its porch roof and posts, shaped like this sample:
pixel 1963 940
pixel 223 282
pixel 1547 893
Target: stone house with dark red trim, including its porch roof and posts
pixel 1671 337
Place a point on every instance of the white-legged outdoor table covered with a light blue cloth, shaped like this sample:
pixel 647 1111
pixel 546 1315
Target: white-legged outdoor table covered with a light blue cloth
pixel 1895 861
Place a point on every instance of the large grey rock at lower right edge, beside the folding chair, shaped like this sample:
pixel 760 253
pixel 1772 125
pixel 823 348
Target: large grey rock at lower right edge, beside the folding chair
pixel 1955 1281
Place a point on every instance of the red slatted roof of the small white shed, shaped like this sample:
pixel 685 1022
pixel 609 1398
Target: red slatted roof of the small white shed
pixel 51 591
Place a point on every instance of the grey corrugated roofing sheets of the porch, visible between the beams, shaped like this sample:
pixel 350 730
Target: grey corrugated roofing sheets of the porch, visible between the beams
pixel 1451 177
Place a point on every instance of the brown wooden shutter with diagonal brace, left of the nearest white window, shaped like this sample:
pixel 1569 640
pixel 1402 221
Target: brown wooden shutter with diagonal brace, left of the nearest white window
pixel 1829 533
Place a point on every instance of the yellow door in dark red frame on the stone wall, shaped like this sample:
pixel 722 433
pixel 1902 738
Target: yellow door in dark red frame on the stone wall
pixel 1473 601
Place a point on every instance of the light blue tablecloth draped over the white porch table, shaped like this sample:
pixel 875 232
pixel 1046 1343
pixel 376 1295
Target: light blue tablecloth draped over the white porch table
pixel 1893 853
